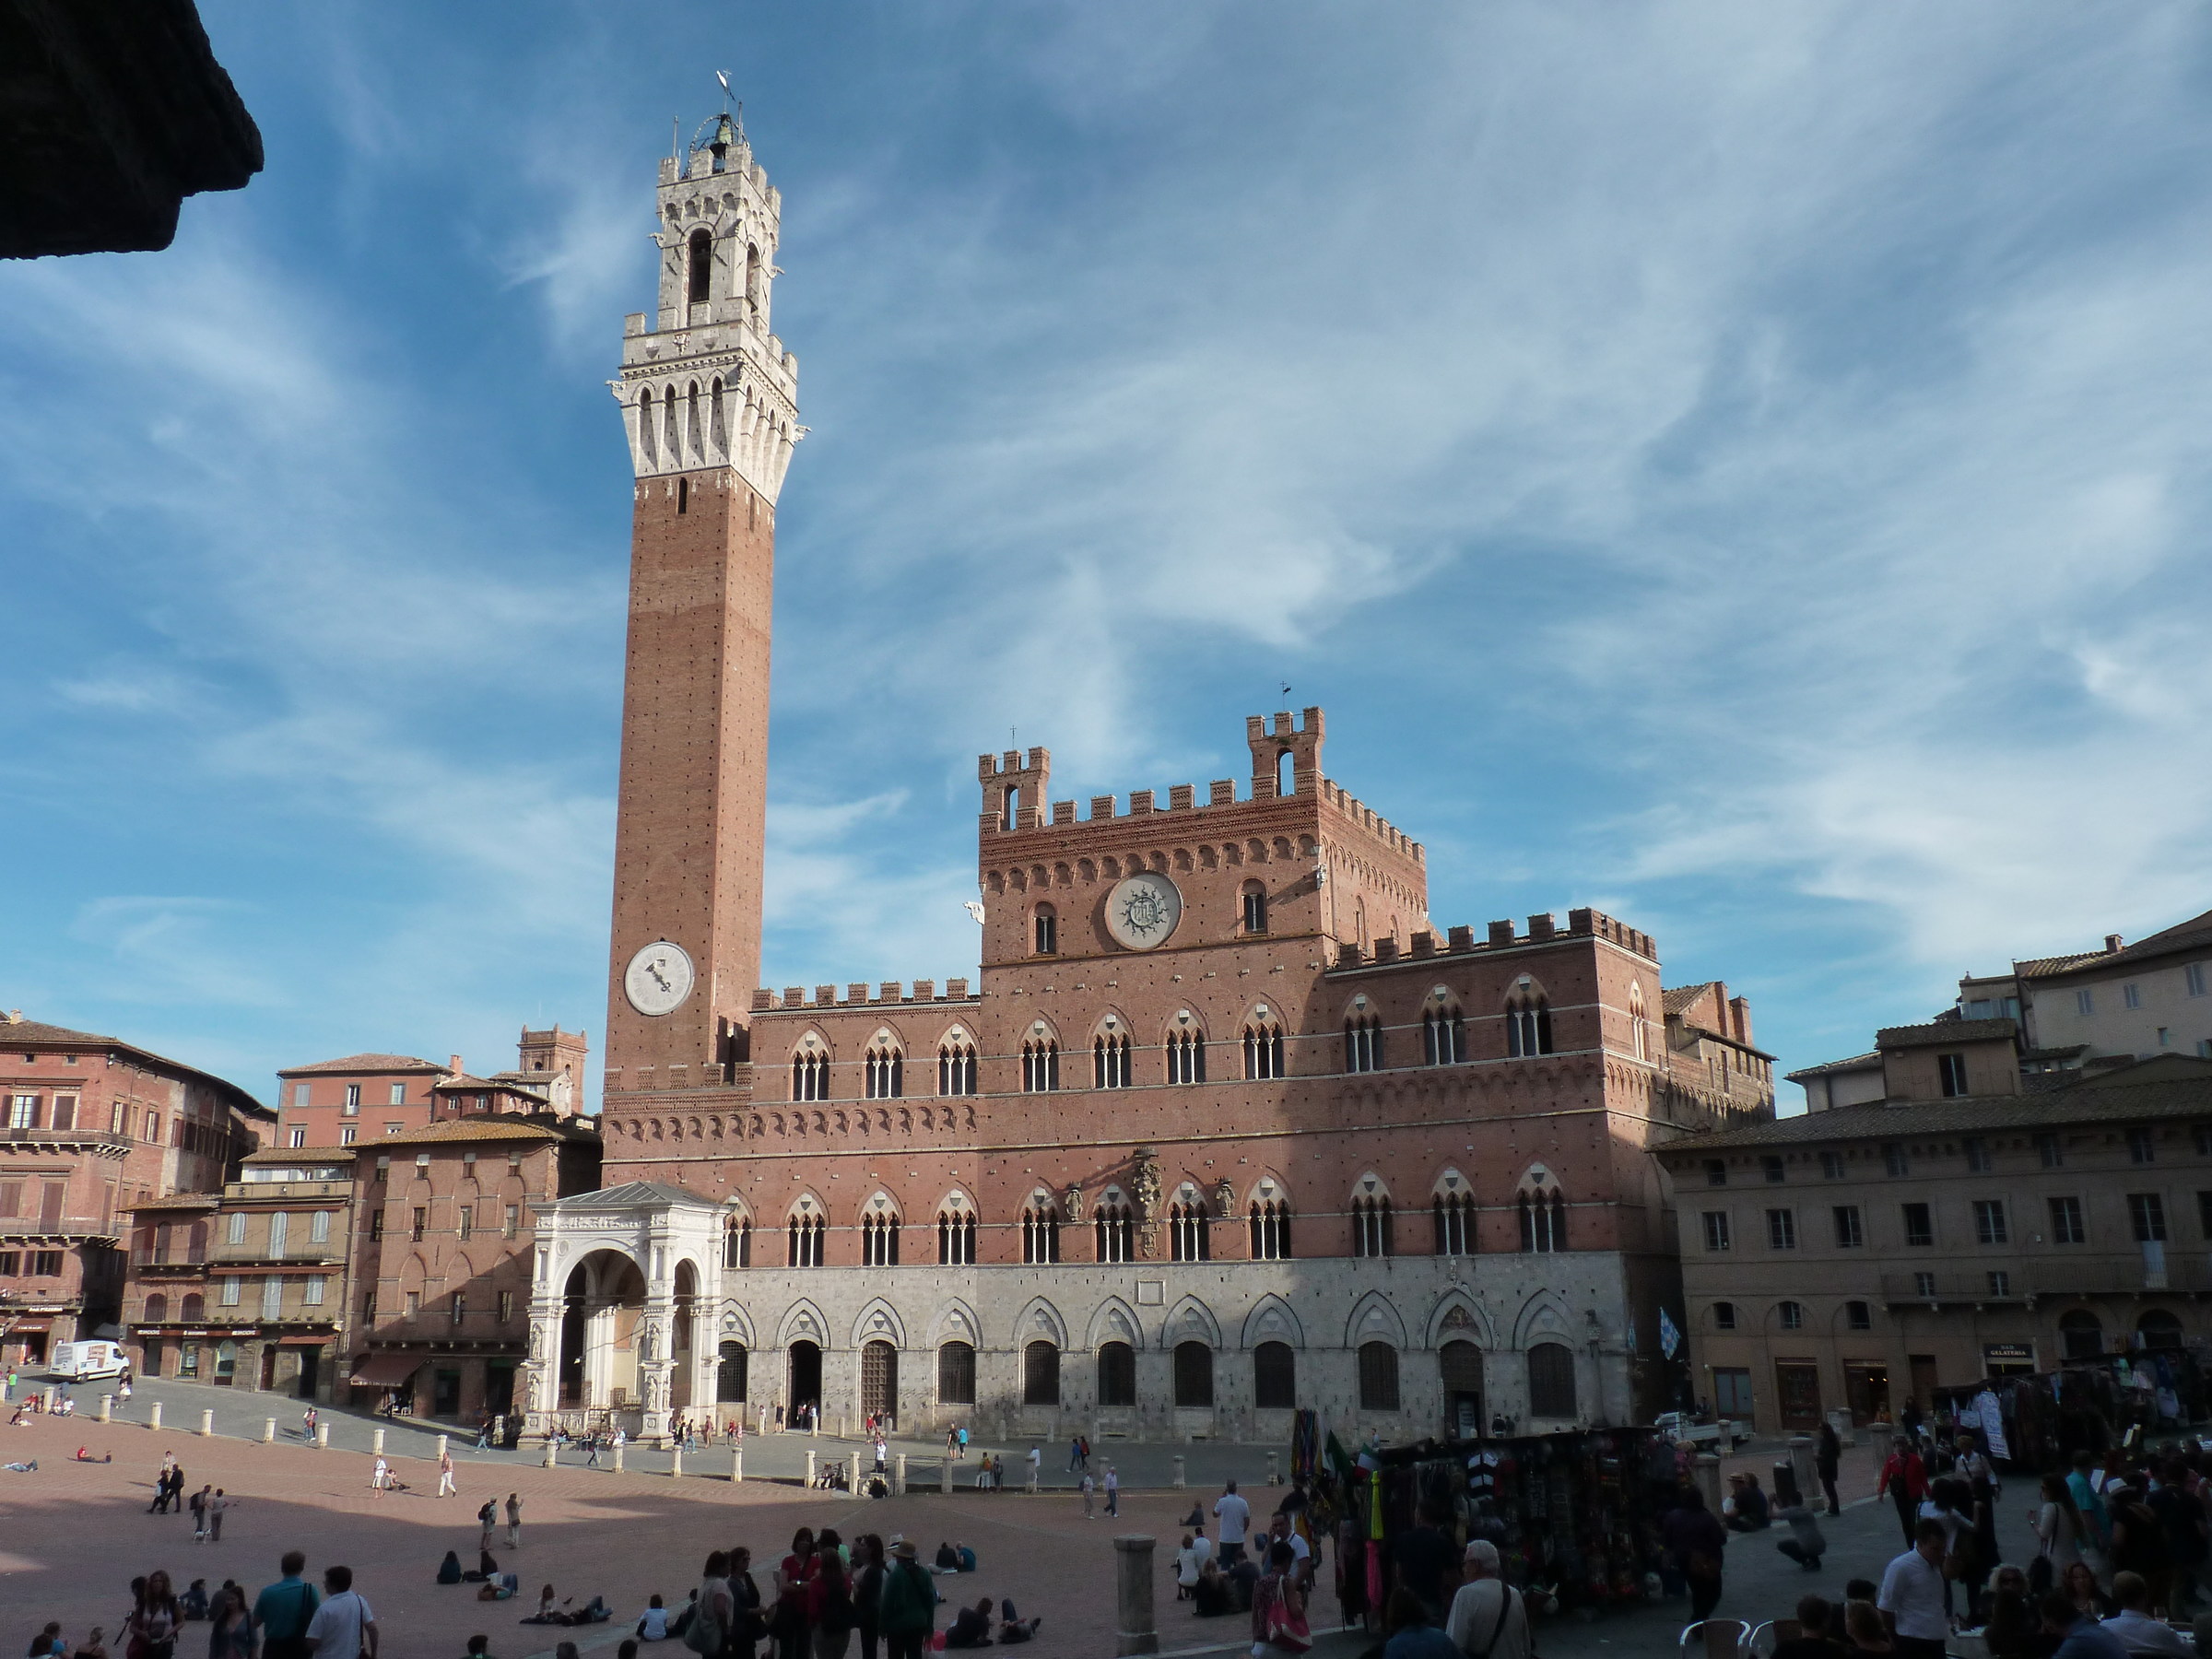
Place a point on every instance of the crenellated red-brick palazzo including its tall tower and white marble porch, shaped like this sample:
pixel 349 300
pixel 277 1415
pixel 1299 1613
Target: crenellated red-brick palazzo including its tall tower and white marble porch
pixel 1224 1127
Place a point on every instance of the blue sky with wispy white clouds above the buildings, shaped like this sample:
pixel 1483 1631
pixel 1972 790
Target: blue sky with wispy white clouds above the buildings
pixel 1742 468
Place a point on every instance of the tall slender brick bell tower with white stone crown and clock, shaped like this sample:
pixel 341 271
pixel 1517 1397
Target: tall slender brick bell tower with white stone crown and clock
pixel 709 399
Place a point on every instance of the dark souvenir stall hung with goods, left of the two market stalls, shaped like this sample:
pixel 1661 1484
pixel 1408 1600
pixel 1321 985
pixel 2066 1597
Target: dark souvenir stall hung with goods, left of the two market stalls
pixel 1574 1516
